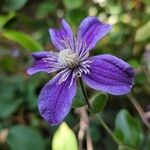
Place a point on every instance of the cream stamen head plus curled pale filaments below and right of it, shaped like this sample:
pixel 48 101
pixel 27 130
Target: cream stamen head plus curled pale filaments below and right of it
pixel 73 64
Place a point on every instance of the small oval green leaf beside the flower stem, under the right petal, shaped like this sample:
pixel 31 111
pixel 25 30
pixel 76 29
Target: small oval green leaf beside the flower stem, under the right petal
pixel 98 104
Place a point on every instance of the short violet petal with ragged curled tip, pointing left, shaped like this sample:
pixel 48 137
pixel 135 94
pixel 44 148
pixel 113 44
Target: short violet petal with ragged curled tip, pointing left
pixel 45 62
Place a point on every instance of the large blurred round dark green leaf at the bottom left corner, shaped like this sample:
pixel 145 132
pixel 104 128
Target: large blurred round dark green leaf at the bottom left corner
pixel 25 138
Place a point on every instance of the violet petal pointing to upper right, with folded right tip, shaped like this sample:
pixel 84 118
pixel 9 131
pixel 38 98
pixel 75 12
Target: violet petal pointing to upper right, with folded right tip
pixel 91 30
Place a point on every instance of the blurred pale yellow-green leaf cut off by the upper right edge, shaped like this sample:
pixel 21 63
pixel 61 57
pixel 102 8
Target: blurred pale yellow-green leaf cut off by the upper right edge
pixel 143 33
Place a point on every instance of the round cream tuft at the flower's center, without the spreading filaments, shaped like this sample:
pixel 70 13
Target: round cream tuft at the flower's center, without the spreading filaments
pixel 68 58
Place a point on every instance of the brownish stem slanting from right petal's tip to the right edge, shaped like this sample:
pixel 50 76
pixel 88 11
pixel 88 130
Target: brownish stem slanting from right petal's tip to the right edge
pixel 139 110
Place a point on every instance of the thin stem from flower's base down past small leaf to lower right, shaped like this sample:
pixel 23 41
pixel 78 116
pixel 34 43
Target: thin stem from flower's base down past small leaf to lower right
pixel 109 131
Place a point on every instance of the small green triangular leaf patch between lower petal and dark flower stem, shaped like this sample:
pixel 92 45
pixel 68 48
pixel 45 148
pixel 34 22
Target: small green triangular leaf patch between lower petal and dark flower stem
pixel 78 99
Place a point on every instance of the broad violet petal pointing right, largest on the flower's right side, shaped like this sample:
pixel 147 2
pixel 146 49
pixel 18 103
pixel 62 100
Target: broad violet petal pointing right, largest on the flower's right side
pixel 110 74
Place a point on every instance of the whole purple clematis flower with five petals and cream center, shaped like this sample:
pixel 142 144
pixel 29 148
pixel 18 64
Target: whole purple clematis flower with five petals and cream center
pixel 104 72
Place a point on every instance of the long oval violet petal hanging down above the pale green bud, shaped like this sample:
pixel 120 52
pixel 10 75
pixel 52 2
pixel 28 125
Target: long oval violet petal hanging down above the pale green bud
pixel 55 99
